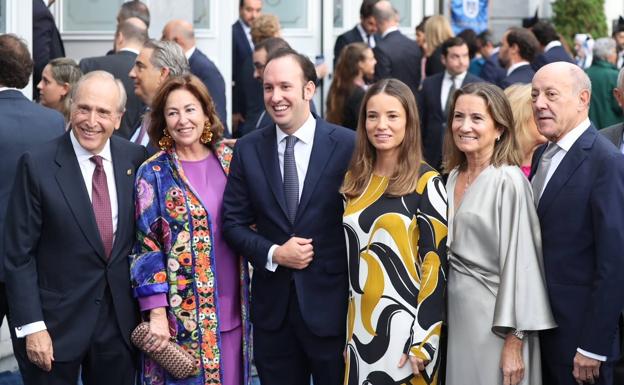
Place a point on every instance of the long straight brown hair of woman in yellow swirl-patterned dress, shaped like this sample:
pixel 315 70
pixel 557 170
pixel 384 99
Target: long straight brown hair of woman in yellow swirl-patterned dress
pixel 407 170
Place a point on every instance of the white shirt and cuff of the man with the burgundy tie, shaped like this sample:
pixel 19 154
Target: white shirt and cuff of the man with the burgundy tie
pixel 87 167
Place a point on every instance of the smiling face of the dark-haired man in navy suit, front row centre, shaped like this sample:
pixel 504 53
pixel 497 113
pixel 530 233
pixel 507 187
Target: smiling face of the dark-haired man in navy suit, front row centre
pixel 286 95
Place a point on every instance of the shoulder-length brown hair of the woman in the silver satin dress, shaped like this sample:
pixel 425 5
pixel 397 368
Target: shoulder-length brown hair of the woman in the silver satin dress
pixel 506 149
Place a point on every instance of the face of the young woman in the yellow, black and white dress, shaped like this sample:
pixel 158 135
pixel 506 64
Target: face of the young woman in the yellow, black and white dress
pixel 386 119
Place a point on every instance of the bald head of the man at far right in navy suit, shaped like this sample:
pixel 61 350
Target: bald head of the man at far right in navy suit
pixel 561 92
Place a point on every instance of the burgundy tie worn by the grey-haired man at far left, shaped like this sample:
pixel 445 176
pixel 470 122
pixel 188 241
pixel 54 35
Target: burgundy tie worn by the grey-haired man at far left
pixel 100 200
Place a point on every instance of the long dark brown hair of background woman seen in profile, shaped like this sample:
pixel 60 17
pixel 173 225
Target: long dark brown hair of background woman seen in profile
pixel 342 86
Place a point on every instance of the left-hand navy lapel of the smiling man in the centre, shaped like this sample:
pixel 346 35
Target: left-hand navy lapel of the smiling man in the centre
pixel 267 153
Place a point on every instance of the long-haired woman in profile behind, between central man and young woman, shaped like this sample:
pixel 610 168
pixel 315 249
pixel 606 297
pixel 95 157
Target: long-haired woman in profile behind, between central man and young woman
pixel 355 67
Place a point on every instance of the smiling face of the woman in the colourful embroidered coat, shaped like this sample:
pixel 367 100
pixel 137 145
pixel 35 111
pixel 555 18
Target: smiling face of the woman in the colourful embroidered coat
pixel 185 119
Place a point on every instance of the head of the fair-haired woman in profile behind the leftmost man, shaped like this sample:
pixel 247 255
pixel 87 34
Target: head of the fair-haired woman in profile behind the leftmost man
pixel 57 80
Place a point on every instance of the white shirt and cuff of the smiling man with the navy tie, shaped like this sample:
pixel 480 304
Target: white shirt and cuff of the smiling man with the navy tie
pixel 303 150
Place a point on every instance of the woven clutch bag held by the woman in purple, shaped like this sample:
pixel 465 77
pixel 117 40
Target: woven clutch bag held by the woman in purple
pixel 173 359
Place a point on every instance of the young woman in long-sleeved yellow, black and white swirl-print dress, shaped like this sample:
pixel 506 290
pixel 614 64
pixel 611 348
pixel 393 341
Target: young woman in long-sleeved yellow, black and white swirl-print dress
pixel 395 224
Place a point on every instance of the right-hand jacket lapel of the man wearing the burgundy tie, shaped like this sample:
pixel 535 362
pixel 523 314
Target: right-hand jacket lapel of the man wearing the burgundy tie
pixel 124 184
